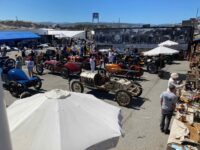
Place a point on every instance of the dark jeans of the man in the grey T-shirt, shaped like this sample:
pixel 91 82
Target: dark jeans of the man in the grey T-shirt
pixel 165 121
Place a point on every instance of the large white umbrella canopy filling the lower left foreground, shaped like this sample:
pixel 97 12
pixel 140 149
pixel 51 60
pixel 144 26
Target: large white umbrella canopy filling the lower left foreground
pixel 59 120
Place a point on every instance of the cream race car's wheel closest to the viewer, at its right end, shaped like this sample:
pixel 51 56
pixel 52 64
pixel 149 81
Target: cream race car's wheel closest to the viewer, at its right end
pixel 123 98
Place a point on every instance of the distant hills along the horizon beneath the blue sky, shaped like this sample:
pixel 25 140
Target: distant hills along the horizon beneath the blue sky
pixel 7 25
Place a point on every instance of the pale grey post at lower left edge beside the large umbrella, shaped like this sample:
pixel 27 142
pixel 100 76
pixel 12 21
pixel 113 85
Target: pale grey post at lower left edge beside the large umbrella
pixel 5 141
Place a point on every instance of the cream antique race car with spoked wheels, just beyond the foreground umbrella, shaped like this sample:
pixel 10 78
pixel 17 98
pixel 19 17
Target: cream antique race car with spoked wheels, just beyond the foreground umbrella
pixel 123 89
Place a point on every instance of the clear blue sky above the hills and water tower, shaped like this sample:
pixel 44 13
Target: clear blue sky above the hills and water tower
pixel 132 11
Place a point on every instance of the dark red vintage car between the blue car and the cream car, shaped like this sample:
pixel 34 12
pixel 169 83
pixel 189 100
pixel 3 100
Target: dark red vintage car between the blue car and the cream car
pixel 64 68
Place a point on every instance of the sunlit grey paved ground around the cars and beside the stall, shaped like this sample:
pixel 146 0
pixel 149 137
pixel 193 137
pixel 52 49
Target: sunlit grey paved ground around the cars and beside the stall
pixel 141 119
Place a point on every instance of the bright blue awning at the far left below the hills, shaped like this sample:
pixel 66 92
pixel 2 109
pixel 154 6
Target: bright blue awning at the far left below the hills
pixel 17 35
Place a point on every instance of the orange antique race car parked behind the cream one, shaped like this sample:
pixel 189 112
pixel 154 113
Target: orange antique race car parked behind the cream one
pixel 123 70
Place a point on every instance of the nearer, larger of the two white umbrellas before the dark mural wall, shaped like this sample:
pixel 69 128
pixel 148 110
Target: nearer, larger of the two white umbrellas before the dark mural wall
pixel 160 50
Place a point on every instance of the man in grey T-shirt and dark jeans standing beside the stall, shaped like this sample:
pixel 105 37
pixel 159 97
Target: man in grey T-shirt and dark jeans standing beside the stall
pixel 168 104
